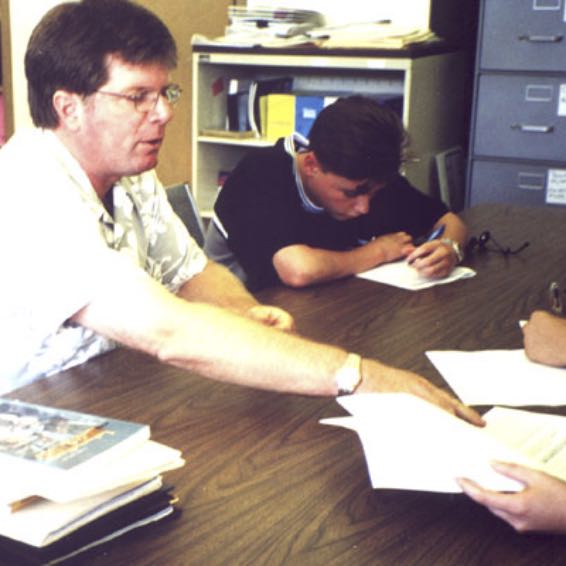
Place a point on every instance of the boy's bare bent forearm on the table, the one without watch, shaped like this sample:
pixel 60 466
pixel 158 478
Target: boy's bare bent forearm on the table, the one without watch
pixel 300 265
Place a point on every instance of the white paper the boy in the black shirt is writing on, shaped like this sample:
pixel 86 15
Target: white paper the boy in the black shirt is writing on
pixel 401 274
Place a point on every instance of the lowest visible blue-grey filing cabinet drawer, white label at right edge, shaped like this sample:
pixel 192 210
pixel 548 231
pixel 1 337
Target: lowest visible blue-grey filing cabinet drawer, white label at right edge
pixel 517 183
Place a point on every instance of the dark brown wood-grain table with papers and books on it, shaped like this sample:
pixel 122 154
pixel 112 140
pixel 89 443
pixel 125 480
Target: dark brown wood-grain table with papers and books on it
pixel 266 484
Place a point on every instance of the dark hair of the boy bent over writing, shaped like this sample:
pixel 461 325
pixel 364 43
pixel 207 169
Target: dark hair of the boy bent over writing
pixel 358 138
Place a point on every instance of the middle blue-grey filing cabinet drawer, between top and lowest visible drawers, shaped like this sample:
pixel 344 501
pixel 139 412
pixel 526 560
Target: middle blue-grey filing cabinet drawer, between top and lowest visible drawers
pixel 521 116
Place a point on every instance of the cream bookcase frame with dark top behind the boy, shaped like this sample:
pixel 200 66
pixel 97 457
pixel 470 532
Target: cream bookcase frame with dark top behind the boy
pixel 434 118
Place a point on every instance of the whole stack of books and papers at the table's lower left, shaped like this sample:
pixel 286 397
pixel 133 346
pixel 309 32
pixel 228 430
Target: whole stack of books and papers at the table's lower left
pixel 73 481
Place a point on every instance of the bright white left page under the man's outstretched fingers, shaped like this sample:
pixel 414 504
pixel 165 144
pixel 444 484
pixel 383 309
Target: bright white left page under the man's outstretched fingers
pixel 412 444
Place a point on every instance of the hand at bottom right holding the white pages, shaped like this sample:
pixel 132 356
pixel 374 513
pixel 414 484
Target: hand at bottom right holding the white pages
pixel 541 506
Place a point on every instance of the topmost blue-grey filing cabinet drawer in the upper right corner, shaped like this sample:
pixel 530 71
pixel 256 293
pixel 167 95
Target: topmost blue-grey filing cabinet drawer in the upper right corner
pixel 523 35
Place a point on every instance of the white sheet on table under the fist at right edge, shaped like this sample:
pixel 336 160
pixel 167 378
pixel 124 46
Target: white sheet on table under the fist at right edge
pixel 500 377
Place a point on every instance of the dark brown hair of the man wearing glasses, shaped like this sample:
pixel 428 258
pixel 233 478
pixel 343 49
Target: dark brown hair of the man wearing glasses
pixel 69 49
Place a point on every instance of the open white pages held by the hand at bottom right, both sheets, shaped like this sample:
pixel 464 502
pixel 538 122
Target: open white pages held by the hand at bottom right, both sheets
pixel 411 444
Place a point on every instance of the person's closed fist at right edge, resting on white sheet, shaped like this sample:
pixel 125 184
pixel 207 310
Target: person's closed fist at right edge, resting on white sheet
pixel 545 339
